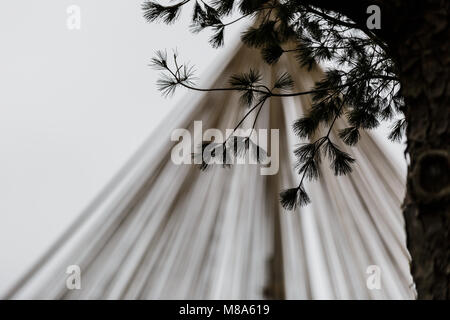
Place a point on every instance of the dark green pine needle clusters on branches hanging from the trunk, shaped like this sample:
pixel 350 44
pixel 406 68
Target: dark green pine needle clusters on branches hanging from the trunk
pixel 361 85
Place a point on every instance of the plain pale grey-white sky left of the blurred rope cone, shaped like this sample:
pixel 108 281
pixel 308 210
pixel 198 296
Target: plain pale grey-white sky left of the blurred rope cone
pixel 74 105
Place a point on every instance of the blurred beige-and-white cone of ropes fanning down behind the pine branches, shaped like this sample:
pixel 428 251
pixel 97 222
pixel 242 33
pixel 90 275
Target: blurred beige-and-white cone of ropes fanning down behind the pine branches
pixel 161 230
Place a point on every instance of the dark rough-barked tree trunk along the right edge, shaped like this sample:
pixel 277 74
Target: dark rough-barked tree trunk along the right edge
pixel 423 58
